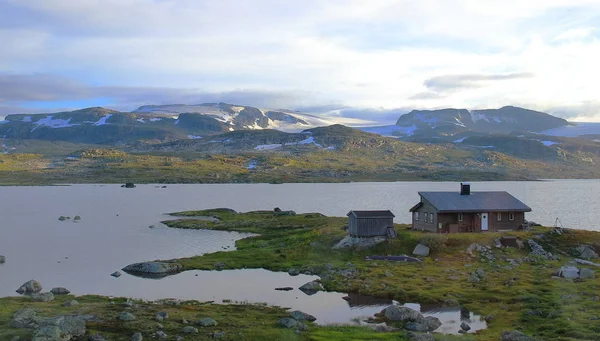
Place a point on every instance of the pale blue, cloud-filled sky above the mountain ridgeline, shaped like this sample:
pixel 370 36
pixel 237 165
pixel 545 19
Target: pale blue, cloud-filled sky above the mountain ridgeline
pixel 367 59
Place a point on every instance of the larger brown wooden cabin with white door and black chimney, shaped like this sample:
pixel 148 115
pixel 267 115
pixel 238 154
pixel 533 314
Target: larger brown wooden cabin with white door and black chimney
pixel 466 211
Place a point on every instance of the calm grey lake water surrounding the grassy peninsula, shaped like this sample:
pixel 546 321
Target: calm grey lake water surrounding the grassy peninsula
pixel 114 232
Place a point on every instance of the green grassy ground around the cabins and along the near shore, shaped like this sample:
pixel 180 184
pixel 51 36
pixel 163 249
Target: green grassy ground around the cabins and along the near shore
pixel 515 288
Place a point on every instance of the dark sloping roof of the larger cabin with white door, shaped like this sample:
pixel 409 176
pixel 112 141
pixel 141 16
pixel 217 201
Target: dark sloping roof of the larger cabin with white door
pixel 475 202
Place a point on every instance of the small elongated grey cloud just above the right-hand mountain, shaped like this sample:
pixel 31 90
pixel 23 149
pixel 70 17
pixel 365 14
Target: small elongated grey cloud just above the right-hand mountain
pixel 456 82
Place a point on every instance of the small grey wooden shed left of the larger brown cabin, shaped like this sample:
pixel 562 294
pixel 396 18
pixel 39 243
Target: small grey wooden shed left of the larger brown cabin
pixel 371 224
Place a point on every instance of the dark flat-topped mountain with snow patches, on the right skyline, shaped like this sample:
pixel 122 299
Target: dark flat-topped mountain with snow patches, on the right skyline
pixel 450 122
